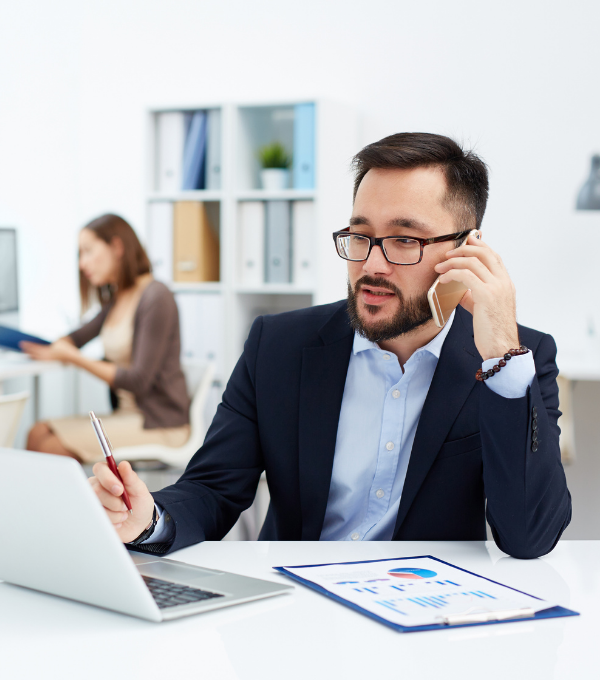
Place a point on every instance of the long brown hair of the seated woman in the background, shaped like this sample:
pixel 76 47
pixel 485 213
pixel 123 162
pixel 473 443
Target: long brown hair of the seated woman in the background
pixel 134 262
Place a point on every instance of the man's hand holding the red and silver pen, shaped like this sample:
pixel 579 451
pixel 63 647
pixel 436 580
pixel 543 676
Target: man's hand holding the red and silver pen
pixel 108 488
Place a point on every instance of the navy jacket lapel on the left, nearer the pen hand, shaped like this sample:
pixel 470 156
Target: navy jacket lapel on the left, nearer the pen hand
pixel 322 382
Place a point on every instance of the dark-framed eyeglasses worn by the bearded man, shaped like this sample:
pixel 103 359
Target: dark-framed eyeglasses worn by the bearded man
pixel 396 249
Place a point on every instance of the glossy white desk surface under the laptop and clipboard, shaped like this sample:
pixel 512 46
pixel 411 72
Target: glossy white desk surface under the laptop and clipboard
pixel 306 635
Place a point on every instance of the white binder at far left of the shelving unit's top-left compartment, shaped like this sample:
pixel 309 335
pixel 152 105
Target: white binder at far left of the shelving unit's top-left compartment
pixel 170 141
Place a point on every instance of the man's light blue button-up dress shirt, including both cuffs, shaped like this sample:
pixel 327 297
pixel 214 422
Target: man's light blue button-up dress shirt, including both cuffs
pixel 380 412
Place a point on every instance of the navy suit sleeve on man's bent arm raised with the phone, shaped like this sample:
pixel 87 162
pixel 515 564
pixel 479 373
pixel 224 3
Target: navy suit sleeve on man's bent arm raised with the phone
pixel 528 503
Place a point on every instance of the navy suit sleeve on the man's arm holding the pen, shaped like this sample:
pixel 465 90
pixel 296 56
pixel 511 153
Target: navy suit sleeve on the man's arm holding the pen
pixel 221 479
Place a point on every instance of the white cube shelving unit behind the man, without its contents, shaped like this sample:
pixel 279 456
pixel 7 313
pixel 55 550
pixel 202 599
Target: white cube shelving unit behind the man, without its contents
pixel 216 315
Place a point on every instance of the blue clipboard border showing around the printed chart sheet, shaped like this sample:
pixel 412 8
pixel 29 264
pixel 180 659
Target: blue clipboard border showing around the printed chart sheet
pixel 552 612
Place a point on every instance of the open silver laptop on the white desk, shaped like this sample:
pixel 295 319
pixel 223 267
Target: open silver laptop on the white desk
pixel 56 538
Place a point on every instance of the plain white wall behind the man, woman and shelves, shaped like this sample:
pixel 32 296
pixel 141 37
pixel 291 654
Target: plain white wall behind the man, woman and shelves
pixel 518 81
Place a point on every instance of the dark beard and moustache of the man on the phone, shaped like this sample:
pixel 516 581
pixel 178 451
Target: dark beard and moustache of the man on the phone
pixel 410 315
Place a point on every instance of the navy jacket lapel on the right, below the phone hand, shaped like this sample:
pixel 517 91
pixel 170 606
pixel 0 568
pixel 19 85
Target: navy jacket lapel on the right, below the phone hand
pixel 453 380
